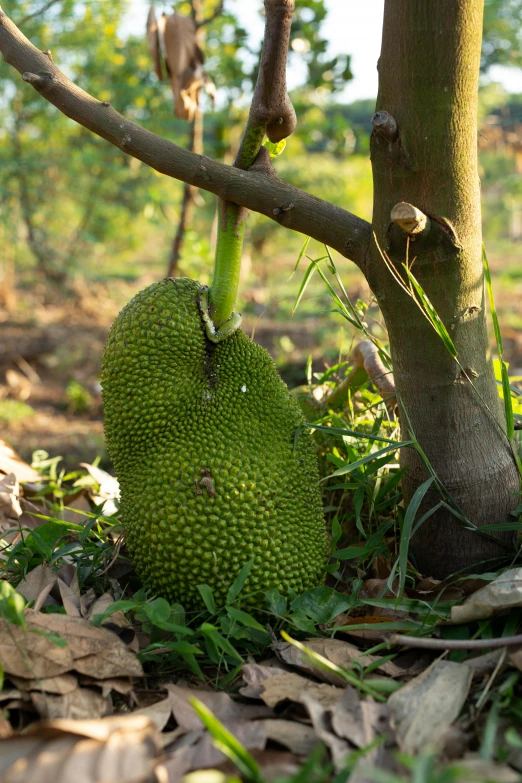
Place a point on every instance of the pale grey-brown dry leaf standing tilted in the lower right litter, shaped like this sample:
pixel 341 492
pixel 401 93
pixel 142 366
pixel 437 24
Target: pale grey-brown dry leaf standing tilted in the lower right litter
pixel 423 709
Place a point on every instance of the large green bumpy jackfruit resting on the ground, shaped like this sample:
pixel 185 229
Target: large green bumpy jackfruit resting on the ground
pixel 203 439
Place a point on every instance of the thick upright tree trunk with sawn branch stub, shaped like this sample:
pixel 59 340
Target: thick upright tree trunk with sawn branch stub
pixel 428 84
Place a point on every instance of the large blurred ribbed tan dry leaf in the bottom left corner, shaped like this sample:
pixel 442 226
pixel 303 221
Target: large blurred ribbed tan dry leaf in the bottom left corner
pixel 119 749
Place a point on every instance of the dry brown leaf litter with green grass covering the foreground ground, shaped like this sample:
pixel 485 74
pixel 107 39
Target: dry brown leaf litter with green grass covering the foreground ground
pixel 99 677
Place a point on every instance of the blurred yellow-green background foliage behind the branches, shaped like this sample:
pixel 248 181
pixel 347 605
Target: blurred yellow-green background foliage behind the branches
pixel 74 207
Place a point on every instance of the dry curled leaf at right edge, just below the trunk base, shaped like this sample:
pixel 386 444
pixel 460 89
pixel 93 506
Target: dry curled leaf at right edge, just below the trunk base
pixel 505 592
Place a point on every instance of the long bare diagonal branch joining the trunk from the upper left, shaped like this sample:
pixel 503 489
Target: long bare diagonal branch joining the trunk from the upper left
pixel 329 224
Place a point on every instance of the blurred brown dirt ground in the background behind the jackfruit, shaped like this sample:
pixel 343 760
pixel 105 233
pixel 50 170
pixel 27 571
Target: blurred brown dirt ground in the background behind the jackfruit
pixel 50 361
